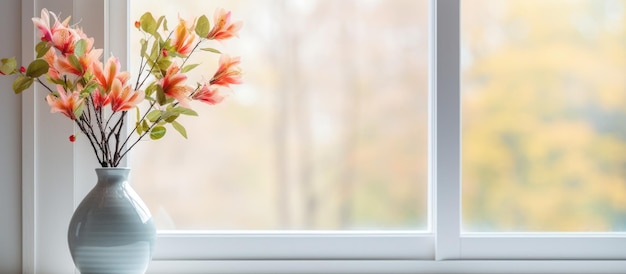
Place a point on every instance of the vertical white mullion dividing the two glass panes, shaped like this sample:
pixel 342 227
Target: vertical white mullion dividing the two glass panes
pixel 446 127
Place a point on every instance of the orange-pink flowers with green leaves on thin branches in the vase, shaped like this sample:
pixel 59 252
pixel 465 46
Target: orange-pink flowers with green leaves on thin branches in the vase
pixel 97 96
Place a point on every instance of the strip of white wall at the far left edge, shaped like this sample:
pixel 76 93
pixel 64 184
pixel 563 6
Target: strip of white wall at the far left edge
pixel 10 145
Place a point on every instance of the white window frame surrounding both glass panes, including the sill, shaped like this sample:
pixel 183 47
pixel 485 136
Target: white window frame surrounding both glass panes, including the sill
pixel 56 175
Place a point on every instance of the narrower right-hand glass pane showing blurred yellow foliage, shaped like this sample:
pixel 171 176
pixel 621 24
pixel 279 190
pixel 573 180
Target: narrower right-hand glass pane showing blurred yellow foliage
pixel 544 115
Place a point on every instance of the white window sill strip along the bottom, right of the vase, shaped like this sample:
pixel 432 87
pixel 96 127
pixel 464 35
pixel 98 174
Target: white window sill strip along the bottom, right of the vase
pixel 386 266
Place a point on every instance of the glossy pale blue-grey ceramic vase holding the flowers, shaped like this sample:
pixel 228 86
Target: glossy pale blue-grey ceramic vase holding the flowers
pixel 111 230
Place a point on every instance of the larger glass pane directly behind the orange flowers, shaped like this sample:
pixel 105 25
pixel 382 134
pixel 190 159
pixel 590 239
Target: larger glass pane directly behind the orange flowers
pixel 328 132
